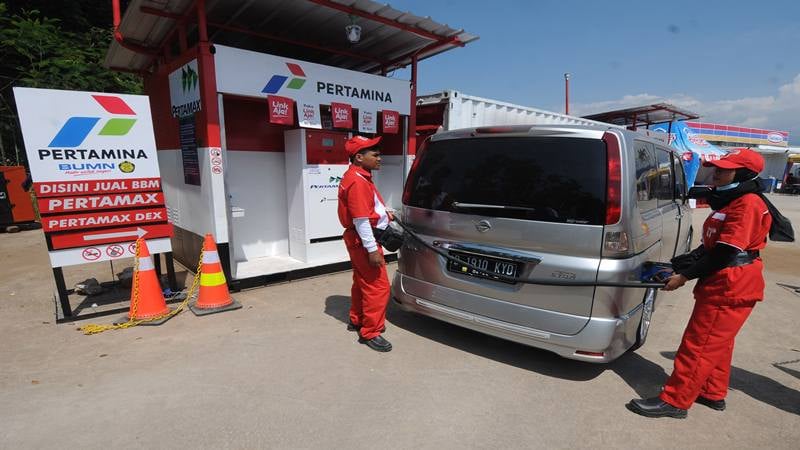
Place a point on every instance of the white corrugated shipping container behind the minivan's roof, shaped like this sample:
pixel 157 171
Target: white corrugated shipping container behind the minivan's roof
pixel 466 111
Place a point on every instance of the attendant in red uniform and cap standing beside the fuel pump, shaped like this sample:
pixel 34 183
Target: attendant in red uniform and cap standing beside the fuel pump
pixel 361 208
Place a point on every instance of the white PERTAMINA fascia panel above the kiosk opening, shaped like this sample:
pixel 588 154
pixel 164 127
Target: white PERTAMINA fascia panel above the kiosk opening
pixel 244 72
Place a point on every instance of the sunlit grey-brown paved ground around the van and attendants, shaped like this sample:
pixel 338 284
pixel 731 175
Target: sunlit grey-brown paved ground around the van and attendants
pixel 283 372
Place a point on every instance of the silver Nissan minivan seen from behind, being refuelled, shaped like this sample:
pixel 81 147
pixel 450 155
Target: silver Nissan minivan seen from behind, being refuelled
pixel 571 210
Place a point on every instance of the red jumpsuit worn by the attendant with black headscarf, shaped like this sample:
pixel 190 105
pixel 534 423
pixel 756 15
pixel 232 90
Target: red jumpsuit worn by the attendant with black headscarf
pixel 723 301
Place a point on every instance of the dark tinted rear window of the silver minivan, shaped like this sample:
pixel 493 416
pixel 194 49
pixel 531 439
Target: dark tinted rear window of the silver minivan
pixel 533 178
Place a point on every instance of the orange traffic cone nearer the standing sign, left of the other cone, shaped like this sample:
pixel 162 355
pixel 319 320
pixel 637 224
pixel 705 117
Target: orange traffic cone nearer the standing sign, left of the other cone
pixel 150 302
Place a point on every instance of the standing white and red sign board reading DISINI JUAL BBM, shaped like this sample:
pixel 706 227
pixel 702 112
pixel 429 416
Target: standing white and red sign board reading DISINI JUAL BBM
pixel 93 161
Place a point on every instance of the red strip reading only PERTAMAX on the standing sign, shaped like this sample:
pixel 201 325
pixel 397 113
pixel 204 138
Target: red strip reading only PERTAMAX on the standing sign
pixel 96 202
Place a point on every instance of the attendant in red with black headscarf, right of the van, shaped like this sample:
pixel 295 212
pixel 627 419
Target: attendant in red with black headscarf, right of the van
pixel 728 268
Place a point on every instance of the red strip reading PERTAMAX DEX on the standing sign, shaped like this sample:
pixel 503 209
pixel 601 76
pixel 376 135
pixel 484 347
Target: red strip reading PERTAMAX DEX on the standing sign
pixel 103 219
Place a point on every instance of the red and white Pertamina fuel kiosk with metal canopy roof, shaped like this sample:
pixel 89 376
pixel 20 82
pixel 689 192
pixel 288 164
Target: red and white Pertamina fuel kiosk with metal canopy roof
pixel 252 102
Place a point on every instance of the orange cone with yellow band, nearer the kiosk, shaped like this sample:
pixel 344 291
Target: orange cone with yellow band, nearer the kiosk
pixel 213 296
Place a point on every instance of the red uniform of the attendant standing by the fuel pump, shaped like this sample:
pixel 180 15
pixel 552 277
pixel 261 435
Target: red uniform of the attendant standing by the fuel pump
pixel 358 198
